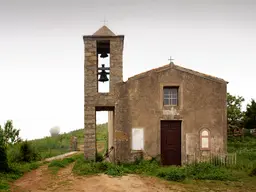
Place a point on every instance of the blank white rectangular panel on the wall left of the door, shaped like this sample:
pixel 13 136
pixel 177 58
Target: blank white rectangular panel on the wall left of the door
pixel 137 139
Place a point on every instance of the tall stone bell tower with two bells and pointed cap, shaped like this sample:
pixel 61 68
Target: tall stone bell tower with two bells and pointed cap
pixel 102 44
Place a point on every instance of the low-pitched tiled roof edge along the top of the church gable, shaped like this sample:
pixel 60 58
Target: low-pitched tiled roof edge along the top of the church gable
pixel 177 67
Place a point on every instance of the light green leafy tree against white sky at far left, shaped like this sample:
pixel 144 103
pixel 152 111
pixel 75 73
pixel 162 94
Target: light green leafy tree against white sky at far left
pixel 10 135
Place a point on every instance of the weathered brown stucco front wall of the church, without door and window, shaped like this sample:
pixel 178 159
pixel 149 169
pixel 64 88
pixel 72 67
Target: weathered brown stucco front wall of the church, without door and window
pixel 202 104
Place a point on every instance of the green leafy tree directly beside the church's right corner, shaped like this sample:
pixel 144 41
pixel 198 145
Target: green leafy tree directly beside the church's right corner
pixel 235 114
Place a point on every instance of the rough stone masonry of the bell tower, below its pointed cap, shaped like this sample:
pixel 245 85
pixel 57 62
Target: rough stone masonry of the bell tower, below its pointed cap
pixel 92 99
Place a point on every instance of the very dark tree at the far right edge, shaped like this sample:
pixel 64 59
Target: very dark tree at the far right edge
pixel 250 115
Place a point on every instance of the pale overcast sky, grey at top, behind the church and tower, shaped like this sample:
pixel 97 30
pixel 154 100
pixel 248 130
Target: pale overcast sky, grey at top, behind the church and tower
pixel 41 50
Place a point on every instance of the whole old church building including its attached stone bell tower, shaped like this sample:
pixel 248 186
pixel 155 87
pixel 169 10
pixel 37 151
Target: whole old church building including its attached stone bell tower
pixel 170 112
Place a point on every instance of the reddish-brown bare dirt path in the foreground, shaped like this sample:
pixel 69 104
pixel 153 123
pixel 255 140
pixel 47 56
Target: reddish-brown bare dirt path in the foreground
pixel 42 180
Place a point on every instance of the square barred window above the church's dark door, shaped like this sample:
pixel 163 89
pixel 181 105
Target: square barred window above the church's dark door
pixel 170 95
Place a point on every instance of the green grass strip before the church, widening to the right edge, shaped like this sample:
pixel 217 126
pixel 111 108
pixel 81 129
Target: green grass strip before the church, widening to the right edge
pixel 241 176
